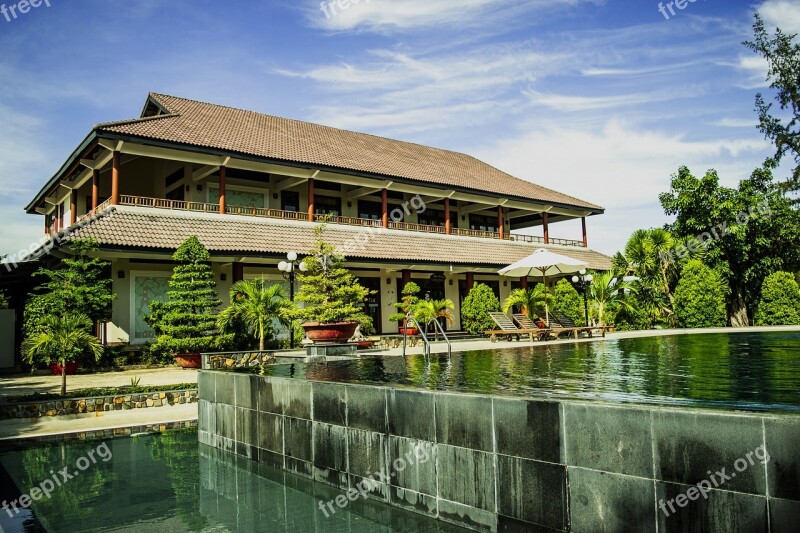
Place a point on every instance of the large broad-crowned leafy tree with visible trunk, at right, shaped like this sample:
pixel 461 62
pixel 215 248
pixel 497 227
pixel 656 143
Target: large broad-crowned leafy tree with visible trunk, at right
pixel 745 233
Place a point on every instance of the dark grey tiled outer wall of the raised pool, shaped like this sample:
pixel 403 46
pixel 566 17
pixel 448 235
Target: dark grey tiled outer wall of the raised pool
pixel 511 464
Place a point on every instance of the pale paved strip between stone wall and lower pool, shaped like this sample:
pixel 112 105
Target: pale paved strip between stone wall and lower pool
pixel 59 425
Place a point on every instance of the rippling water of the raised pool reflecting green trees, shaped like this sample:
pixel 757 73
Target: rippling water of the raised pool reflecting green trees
pixel 748 371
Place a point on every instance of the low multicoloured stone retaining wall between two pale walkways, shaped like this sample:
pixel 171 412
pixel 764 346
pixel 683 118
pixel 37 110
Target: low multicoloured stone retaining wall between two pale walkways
pixel 72 406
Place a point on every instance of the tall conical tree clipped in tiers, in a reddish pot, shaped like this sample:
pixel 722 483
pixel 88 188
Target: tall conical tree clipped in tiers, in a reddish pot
pixel 186 324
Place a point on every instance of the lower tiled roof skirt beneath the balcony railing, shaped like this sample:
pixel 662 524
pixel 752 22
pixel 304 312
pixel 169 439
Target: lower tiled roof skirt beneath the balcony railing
pixel 143 228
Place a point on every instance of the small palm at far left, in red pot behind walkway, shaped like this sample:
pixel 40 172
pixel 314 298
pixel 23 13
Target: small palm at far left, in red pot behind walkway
pixel 63 338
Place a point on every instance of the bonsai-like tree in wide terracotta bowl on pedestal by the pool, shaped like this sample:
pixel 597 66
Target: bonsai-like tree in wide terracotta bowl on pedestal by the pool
pixel 333 298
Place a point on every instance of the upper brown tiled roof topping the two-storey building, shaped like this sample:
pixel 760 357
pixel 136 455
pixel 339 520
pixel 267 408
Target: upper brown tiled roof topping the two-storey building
pixel 234 130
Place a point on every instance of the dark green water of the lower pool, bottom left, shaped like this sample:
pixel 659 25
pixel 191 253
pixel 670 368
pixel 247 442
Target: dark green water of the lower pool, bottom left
pixel 170 483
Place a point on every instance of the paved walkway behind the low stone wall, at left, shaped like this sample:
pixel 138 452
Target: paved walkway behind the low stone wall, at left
pixel 20 384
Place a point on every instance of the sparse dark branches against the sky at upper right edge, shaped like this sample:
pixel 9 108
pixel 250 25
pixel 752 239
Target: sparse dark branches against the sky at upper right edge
pixel 782 53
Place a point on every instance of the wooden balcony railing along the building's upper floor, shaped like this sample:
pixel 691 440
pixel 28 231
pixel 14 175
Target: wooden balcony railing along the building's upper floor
pixel 180 205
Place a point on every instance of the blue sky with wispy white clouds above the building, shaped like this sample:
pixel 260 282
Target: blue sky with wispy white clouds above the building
pixel 599 99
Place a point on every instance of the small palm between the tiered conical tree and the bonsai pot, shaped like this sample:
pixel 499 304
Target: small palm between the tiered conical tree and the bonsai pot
pixel 255 303
